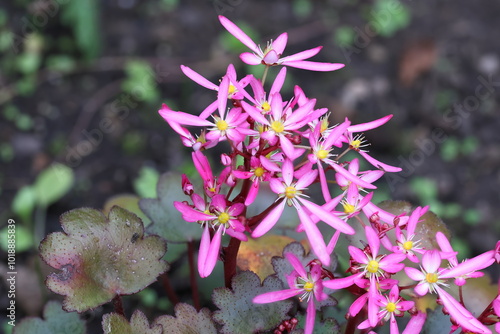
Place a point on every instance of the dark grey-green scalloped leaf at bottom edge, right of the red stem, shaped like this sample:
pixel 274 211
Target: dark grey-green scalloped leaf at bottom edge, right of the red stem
pixel 238 314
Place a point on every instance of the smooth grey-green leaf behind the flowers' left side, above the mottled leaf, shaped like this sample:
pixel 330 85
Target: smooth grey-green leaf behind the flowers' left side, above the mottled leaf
pixel 167 221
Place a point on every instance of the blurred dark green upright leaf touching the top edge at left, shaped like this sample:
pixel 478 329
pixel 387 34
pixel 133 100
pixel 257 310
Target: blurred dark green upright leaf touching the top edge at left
pixel 83 18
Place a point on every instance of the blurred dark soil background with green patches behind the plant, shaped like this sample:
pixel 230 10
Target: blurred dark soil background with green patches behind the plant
pixel 81 83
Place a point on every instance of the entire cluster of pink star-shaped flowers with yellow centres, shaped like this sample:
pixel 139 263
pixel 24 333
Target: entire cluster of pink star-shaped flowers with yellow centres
pixel 289 145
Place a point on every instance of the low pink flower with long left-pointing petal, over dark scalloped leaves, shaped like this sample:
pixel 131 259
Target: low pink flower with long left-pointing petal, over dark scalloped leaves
pixel 309 285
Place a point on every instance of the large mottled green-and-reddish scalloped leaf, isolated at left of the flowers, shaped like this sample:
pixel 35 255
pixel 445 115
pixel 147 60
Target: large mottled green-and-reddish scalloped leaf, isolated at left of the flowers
pixel 100 258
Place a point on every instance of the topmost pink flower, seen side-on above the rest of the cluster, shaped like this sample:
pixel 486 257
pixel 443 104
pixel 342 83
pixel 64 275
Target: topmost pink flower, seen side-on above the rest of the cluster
pixel 271 55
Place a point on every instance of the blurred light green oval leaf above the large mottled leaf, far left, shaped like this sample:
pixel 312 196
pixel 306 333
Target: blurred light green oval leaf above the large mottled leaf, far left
pixel 53 183
